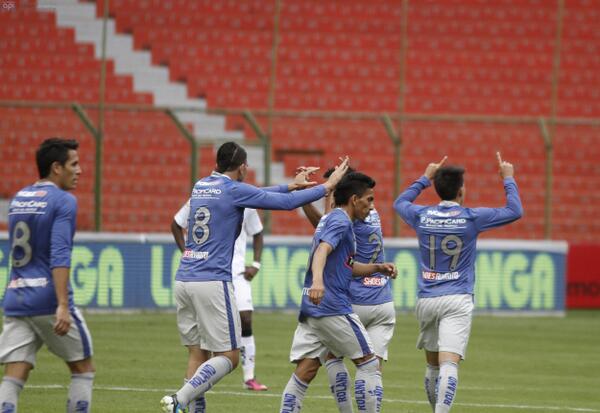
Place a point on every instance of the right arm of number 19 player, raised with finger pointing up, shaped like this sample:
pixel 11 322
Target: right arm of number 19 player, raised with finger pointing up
pixel 488 218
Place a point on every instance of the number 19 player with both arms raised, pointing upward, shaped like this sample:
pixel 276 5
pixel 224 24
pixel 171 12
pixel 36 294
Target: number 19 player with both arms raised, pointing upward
pixel 447 234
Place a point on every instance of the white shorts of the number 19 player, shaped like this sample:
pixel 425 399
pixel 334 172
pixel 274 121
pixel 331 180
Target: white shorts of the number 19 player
pixel 445 323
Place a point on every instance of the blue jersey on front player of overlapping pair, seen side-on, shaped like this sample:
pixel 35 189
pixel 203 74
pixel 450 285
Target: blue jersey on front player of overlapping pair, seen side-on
pixel 335 229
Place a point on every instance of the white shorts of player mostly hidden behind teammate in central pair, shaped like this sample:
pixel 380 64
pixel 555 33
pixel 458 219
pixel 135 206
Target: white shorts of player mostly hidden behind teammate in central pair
pixel 379 321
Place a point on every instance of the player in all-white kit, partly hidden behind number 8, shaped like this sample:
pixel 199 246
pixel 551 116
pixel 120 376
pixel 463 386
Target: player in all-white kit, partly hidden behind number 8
pixel 242 276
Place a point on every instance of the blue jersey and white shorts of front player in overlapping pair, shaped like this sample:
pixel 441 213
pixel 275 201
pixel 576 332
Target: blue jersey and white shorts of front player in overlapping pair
pixel 331 325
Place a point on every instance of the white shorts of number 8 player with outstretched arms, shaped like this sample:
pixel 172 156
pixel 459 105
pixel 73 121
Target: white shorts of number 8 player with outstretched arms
pixel 207 315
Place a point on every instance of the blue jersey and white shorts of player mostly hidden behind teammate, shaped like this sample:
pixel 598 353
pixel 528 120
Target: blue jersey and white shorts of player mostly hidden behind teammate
pixel 371 296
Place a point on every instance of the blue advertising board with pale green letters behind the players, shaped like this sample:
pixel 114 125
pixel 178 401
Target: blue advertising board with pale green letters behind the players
pixel 135 271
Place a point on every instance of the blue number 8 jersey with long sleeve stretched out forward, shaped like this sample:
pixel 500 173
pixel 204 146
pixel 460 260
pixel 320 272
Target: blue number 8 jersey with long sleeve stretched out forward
pixel 216 213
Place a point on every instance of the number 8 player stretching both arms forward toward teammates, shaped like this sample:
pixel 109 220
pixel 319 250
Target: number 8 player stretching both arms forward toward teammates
pixel 207 316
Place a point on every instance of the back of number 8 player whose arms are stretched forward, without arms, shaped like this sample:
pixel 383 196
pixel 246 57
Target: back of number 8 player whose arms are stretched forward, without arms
pixel 213 226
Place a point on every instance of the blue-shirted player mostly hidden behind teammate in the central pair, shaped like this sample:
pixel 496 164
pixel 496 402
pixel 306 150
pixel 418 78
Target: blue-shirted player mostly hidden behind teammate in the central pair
pixel 371 299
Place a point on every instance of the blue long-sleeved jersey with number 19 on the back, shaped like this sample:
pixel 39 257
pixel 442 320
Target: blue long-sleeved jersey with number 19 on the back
pixel 447 235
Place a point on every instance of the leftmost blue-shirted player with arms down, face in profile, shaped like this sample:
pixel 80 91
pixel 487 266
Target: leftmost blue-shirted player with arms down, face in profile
pixel 38 303
